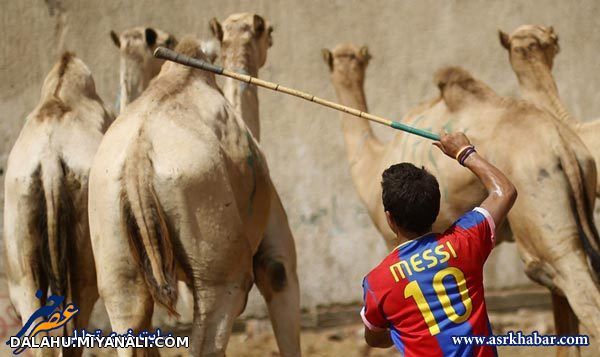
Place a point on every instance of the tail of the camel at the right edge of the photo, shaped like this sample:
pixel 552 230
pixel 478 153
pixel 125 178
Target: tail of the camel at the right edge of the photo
pixel 584 213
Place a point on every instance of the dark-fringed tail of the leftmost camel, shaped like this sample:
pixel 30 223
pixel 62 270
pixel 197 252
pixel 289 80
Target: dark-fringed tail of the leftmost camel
pixel 56 226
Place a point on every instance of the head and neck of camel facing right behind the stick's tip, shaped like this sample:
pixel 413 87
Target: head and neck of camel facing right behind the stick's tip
pixel 138 65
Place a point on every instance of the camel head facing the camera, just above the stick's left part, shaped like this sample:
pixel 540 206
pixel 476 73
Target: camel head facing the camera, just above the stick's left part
pixel 245 39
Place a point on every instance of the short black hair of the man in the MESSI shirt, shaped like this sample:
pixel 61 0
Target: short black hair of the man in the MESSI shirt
pixel 412 196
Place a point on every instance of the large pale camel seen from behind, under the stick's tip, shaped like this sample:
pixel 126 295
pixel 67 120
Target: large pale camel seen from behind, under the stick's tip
pixel 180 190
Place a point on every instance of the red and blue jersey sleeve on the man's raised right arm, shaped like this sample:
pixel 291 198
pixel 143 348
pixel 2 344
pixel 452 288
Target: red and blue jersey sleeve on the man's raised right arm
pixel 476 229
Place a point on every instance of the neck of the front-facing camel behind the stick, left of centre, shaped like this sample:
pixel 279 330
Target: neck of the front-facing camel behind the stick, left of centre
pixel 243 96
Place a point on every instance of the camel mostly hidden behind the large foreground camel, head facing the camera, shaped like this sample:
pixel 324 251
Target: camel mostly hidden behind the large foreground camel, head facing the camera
pixel 245 39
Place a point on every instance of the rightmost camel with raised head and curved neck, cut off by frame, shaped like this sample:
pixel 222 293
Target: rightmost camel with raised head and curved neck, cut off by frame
pixel 532 49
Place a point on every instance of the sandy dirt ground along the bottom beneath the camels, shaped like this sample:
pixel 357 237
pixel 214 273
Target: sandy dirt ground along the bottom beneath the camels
pixel 347 341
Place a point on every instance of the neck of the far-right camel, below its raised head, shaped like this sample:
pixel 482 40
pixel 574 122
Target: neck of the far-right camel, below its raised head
pixel 538 86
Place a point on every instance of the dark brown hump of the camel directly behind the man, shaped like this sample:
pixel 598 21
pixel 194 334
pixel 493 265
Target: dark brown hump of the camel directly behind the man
pixel 456 85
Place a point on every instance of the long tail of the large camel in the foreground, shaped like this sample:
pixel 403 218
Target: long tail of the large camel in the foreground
pixel 149 237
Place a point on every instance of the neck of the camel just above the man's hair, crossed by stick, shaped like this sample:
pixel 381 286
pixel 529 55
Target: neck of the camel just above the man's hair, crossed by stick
pixel 362 147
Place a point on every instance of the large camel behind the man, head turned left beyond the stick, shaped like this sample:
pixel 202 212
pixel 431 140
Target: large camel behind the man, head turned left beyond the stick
pixel 552 217
